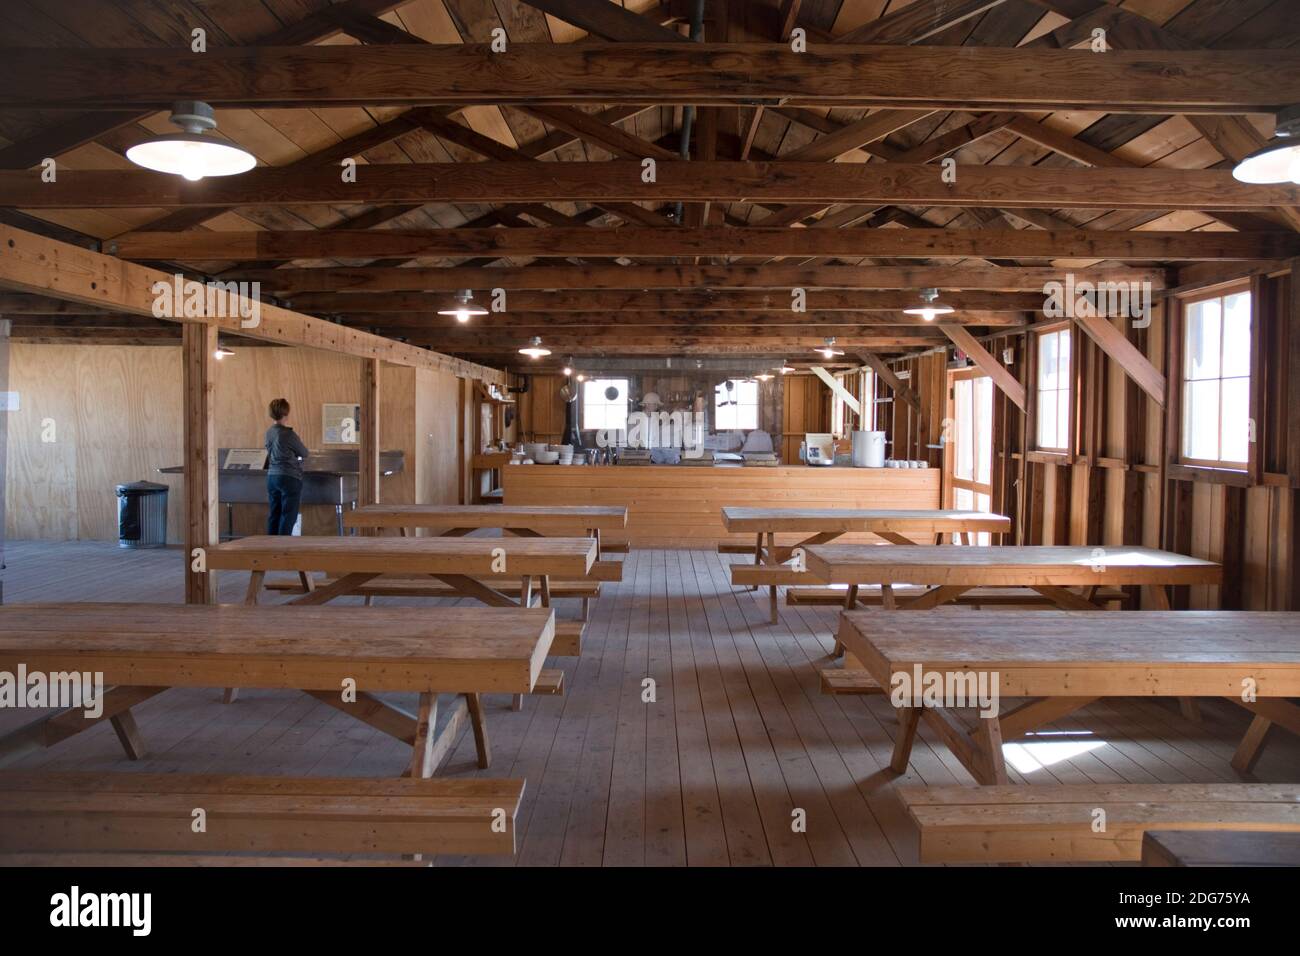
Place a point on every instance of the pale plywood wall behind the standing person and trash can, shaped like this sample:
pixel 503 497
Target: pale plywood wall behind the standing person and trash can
pixel 116 416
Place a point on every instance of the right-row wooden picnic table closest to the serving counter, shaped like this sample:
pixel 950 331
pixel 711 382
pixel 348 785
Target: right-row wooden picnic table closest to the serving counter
pixel 898 527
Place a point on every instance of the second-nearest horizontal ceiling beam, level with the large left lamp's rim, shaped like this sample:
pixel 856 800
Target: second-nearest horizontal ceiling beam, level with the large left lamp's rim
pixel 883 184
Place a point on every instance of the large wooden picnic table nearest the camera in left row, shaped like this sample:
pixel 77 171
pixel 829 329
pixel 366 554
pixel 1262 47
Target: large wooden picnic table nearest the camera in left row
pixel 144 650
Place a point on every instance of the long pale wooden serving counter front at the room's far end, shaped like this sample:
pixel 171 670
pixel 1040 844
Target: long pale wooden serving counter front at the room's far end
pixel 681 507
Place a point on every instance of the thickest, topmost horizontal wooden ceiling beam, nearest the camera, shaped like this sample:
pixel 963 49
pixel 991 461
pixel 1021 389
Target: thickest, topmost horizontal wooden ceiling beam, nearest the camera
pixel 912 77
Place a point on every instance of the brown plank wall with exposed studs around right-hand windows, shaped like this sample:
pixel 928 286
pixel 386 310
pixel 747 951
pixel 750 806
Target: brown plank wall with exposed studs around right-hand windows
pixel 1121 486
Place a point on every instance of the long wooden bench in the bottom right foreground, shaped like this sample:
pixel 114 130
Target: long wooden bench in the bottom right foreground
pixel 1065 824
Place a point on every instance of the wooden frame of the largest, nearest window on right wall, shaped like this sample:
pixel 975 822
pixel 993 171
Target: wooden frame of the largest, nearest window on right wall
pixel 1178 345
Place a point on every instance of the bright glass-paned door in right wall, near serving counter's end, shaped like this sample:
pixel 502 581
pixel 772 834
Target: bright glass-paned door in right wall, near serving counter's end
pixel 969 444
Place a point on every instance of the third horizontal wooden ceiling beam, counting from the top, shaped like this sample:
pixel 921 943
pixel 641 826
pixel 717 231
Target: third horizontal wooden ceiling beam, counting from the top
pixel 634 241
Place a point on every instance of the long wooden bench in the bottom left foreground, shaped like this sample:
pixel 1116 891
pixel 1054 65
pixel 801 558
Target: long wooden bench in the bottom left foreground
pixel 81 812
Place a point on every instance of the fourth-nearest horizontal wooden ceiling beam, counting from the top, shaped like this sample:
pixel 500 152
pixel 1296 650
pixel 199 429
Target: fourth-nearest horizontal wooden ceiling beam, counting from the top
pixel 291 282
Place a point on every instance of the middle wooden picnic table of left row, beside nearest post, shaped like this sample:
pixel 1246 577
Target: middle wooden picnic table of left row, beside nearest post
pixel 466 565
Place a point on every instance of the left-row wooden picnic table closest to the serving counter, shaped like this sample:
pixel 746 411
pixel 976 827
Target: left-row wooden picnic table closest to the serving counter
pixel 523 521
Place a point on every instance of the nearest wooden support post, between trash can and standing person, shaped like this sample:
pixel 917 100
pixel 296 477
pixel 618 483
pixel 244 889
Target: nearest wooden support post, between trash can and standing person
pixel 200 347
